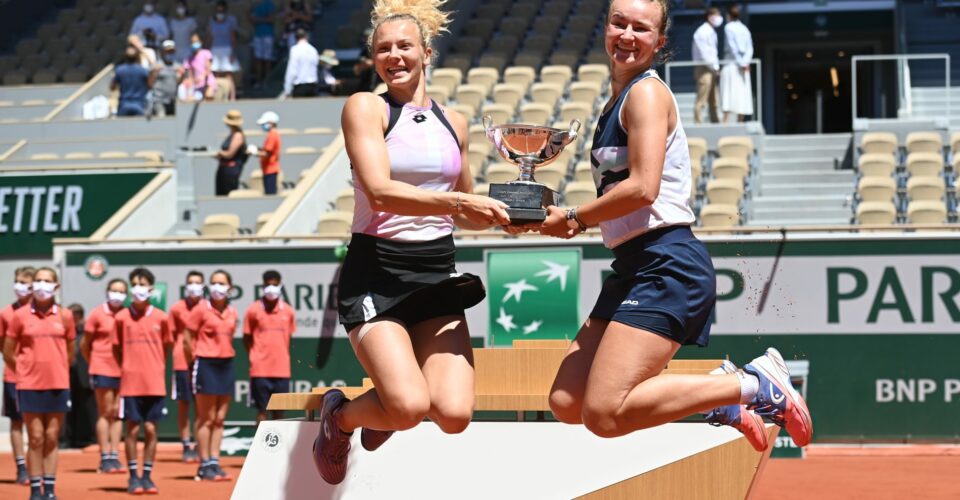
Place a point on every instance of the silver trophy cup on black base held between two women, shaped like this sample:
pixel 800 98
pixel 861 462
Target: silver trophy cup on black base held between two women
pixel 528 147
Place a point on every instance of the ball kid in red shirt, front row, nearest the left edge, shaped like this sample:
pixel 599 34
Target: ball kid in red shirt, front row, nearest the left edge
pixel 40 346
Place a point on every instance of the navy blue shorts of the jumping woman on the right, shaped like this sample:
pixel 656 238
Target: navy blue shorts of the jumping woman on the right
pixel 664 283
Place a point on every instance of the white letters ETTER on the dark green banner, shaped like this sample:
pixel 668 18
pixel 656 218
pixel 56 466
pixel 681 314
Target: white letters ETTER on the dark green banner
pixel 52 208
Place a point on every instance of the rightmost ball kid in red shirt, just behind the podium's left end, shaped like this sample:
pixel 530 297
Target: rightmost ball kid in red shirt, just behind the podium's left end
pixel 267 327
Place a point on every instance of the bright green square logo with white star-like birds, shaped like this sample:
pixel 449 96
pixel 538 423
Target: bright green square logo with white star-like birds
pixel 533 294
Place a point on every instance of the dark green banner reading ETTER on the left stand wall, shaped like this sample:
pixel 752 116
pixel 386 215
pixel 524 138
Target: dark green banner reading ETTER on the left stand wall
pixel 34 209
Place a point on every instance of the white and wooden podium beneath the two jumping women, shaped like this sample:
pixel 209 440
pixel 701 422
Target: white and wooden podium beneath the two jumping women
pixel 511 459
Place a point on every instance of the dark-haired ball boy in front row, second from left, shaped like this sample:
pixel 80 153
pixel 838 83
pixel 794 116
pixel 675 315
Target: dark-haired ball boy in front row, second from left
pixel 141 344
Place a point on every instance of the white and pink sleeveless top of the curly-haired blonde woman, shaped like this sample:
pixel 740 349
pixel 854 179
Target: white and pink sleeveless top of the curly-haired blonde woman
pixel 424 152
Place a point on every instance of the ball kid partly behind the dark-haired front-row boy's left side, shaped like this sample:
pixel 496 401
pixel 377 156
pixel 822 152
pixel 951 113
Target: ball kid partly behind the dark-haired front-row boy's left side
pixel 96 347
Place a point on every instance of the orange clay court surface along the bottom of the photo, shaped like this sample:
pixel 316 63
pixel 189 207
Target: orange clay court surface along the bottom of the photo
pixel 841 473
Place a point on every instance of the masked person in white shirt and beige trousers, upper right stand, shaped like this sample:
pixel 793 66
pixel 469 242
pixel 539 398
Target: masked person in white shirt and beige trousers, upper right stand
pixel 707 75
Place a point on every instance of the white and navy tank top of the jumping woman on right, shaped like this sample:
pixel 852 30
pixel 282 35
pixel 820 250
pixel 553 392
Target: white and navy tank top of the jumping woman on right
pixel 611 165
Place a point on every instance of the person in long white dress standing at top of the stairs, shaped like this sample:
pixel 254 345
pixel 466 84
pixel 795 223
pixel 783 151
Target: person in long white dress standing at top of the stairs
pixel 736 93
